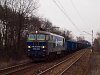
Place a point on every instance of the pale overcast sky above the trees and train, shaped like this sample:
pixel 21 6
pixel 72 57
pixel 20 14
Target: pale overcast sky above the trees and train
pixel 85 14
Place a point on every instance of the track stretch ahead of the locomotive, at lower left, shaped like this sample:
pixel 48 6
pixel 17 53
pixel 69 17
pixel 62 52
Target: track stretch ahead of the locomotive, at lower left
pixel 12 69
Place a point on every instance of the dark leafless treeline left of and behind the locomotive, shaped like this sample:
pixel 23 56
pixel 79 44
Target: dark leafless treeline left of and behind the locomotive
pixel 17 19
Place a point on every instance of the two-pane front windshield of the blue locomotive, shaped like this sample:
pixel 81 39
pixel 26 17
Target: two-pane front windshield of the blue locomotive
pixel 36 36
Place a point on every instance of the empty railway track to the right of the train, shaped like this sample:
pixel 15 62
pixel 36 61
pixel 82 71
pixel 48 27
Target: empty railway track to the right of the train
pixel 63 66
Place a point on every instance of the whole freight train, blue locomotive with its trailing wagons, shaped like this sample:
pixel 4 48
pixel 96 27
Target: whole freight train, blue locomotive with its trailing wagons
pixel 42 44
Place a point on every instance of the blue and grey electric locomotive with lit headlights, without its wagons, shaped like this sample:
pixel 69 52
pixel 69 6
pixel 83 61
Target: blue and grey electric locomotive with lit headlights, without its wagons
pixel 41 44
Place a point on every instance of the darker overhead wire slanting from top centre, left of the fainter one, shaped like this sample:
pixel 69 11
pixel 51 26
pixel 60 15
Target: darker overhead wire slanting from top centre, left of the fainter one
pixel 65 13
